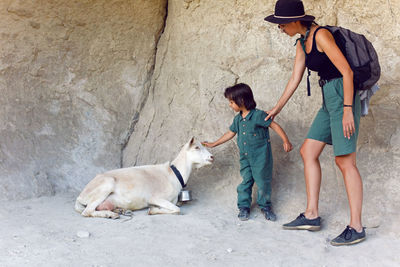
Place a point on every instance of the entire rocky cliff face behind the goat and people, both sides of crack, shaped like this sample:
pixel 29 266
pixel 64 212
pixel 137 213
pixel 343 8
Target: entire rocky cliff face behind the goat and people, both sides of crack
pixel 78 77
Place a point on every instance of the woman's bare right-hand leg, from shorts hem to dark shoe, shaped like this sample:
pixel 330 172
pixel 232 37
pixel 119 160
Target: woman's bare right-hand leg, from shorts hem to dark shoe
pixel 354 188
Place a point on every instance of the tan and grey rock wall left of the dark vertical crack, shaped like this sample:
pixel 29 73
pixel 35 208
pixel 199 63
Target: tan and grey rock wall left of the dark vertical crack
pixel 73 77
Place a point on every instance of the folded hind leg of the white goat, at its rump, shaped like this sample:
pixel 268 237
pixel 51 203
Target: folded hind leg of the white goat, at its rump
pixel 97 196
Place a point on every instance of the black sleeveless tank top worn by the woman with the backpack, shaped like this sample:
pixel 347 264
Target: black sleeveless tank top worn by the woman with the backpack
pixel 319 62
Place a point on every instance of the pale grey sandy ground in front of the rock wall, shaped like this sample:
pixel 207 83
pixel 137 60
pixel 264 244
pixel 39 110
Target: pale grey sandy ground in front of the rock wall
pixel 43 232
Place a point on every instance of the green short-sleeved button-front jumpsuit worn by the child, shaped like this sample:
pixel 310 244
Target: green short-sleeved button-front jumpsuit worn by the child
pixel 255 157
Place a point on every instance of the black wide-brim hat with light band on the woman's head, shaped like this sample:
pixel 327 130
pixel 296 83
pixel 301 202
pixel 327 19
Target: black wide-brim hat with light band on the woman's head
pixel 288 11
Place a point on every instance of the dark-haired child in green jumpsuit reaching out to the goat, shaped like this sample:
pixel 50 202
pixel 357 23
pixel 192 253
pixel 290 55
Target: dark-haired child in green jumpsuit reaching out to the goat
pixel 255 149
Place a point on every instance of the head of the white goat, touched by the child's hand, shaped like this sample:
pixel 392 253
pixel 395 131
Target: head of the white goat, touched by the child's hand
pixel 198 154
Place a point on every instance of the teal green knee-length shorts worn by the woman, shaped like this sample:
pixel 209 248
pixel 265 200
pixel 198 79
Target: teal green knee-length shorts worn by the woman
pixel 327 126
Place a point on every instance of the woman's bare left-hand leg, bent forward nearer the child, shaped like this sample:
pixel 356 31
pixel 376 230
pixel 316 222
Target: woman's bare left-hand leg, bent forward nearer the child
pixel 310 152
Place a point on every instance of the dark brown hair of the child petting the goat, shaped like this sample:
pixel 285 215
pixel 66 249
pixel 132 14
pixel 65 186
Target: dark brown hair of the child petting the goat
pixel 242 95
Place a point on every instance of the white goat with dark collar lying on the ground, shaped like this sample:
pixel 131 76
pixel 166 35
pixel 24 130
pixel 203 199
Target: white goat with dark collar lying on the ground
pixel 154 186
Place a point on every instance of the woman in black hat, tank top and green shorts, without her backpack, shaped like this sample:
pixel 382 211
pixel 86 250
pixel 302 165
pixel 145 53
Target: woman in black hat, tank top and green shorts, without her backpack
pixel 336 123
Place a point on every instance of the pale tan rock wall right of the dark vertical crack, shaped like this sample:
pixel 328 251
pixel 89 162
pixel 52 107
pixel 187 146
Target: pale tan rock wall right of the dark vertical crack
pixel 209 45
